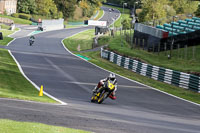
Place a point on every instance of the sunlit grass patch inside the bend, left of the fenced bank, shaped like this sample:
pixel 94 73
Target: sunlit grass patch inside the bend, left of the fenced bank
pixel 83 39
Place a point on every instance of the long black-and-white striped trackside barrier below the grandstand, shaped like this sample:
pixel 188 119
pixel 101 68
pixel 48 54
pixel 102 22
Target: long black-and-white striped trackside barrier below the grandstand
pixel 183 80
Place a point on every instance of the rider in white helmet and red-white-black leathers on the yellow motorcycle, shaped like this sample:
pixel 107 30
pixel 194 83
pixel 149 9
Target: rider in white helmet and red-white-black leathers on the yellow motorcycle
pixel 112 78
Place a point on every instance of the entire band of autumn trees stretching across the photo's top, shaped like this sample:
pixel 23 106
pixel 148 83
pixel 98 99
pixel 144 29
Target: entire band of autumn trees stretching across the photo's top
pixel 147 10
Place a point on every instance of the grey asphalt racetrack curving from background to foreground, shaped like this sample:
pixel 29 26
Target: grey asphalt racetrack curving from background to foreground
pixel 138 109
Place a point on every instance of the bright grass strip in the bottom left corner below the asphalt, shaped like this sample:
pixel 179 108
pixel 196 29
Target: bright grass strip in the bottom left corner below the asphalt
pixel 9 126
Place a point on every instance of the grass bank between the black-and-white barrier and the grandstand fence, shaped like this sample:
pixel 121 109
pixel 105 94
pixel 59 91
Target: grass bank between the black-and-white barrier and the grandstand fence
pixel 179 64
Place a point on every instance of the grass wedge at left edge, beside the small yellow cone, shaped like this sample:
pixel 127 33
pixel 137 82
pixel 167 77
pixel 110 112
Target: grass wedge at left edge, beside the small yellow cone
pixel 13 84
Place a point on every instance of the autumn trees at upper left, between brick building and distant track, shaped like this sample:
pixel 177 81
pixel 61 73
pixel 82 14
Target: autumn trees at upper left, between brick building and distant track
pixel 58 8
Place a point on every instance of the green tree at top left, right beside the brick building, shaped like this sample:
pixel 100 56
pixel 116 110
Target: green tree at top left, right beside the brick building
pixel 27 6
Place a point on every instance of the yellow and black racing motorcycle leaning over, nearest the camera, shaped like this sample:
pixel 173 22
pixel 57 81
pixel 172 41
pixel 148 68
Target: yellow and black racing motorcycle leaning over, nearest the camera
pixel 103 92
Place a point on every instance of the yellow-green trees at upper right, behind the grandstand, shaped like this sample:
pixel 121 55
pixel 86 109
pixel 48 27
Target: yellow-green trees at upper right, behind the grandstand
pixel 156 9
